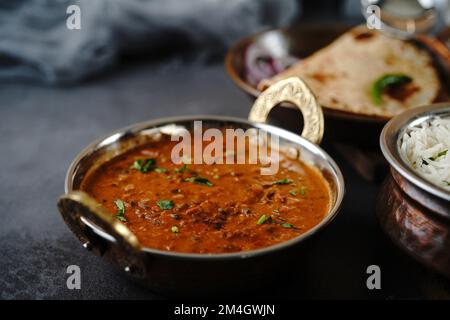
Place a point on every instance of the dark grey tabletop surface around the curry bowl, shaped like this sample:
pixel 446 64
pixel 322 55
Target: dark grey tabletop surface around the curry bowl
pixel 42 129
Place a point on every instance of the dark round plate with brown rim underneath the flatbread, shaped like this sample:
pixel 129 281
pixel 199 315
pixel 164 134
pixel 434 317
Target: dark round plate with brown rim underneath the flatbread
pixel 303 40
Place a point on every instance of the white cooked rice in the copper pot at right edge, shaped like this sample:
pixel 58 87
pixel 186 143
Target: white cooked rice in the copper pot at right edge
pixel 426 148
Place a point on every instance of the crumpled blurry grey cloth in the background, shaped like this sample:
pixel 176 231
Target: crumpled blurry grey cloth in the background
pixel 36 44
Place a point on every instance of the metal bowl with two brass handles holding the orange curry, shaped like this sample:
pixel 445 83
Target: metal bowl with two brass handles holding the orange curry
pixel 184 274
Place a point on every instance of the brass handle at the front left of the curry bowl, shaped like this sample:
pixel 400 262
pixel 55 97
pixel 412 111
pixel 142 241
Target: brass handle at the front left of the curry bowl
pixel 77 206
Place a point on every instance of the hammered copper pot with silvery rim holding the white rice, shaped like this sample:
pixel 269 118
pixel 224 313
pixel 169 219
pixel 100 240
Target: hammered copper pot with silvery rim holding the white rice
pixel 413 212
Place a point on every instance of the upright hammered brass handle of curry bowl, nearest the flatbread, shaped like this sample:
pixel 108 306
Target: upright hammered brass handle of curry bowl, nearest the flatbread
pixel 295 91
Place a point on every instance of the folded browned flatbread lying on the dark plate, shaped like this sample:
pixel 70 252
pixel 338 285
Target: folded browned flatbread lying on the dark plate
pixel 342 74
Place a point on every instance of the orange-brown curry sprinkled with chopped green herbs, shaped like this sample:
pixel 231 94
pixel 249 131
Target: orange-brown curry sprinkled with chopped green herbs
pixel 216 208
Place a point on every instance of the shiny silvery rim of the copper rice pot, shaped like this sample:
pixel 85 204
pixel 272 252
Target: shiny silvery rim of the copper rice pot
pixel 390 140
